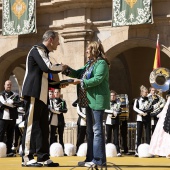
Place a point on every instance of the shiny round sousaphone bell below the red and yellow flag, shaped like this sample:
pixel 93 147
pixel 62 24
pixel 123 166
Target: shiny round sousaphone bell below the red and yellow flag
pixel 160 79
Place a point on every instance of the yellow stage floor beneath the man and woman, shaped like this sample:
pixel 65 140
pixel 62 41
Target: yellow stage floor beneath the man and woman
pixel 70 162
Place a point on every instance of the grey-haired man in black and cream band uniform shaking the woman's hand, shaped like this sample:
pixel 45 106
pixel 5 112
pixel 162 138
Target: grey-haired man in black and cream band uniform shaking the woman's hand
pixel 35 93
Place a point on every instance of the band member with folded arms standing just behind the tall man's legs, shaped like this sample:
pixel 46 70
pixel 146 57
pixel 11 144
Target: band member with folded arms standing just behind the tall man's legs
pixel 60 105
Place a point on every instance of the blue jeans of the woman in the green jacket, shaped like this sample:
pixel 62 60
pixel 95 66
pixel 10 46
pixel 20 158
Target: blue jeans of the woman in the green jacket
pixel 95 137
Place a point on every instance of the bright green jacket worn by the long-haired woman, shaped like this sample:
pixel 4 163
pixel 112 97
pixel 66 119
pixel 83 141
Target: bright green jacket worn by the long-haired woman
pixel 97 87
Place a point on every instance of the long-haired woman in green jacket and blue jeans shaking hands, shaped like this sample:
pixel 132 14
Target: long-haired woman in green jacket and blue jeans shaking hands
pixel 94 94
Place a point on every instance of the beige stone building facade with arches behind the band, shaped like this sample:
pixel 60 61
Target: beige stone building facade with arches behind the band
pixel 130 49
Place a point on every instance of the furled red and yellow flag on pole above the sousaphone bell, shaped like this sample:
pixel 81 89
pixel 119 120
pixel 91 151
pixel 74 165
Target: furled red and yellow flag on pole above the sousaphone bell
pixel 157 62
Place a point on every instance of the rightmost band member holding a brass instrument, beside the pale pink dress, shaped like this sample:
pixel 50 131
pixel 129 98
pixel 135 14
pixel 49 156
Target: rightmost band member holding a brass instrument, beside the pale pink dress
pixel 158 103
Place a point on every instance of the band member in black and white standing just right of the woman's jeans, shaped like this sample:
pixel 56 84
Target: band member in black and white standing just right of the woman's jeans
pixel 112 121
